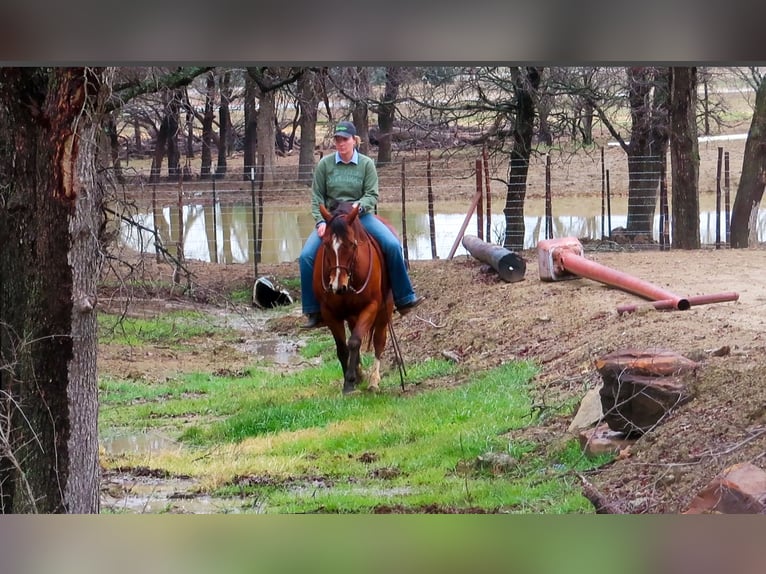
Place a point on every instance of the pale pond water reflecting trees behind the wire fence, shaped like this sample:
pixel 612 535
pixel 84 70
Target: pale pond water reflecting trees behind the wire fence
pixel 225 235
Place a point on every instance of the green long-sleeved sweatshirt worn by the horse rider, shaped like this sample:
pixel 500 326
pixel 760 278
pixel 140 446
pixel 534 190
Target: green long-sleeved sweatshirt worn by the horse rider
pixel 344 182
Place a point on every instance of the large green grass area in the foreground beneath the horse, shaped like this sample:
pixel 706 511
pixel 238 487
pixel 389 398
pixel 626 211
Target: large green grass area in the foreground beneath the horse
pixel 318 451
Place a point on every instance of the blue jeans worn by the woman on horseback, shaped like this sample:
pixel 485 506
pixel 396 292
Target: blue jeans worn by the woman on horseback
pixel 392 251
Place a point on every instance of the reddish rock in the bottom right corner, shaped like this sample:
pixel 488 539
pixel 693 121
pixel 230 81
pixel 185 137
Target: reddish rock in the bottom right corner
pixel 739 489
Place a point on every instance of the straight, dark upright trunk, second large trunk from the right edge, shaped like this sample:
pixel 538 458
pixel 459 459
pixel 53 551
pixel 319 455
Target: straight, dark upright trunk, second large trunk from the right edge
pixel 684 158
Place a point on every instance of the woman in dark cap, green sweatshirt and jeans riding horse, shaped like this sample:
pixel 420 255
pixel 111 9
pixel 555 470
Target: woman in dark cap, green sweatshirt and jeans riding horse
pixel 348 175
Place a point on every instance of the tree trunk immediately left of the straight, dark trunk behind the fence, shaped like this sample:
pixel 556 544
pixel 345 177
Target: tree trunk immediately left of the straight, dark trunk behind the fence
pixel 648 97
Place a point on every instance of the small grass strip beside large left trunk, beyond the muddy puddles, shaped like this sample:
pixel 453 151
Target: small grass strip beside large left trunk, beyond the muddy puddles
pixel 169 328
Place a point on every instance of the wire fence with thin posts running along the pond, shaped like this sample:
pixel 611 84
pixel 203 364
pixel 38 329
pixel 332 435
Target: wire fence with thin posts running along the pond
pixel 431 201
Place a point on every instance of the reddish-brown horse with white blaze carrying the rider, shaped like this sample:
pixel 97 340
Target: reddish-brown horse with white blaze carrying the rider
pixel 352 285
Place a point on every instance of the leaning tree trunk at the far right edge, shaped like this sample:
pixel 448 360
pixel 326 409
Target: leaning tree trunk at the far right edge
pixel 751 183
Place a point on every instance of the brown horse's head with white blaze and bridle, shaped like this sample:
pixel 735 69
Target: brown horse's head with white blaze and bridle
pixel 340 246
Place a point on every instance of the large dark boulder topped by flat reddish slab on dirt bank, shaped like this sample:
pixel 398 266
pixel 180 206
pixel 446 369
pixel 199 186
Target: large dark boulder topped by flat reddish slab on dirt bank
pixel 641 387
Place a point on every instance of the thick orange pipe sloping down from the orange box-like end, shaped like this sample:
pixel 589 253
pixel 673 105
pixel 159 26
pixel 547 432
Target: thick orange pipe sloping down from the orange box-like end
pixel 583 267
